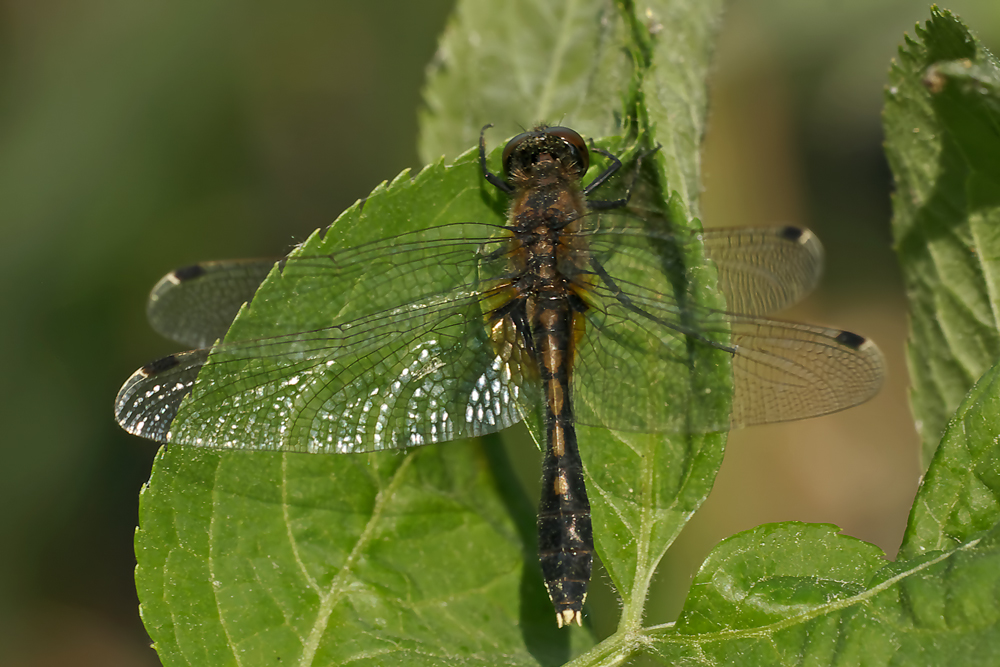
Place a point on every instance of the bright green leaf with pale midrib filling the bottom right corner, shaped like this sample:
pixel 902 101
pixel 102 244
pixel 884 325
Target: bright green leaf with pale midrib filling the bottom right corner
pixel 801 594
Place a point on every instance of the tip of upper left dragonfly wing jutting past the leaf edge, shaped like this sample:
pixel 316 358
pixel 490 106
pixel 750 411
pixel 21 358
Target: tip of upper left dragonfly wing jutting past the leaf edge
pixel 195 305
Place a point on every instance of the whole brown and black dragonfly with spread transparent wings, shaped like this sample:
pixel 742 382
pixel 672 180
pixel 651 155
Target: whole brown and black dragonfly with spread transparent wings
pixel 467 328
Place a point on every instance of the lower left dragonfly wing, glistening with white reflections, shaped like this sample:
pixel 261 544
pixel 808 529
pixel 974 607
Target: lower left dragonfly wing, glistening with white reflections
pixel 384 382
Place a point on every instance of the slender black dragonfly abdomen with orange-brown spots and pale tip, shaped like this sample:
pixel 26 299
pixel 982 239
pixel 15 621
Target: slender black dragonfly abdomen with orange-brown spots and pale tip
pixel 565 534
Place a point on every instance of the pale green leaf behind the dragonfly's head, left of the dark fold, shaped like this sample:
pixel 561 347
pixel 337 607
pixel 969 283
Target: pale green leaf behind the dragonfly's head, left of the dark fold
pixel 517 64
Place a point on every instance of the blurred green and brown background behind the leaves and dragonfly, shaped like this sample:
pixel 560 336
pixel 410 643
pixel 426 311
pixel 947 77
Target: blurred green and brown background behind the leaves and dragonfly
pixel 136 137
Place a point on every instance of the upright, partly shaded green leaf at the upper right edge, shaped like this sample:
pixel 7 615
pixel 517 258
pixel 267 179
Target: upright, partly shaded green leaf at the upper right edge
pixel 941 119
